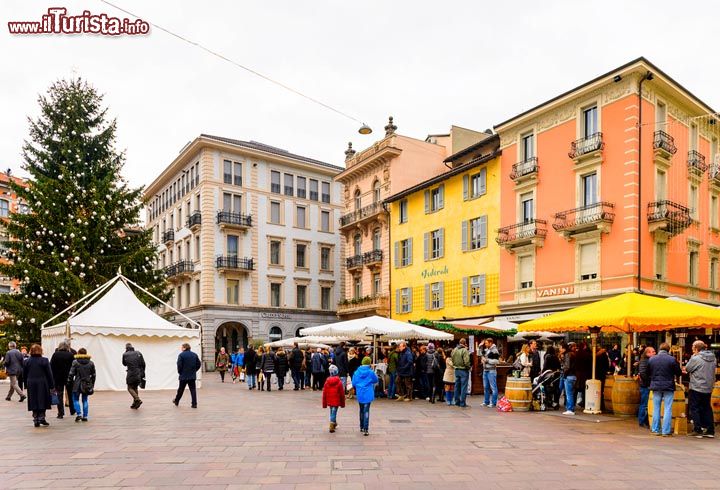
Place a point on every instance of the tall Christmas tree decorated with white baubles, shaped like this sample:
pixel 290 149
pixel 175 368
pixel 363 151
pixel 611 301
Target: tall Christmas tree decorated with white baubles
pixel 83 220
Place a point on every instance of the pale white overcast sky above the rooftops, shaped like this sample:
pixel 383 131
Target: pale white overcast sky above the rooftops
pixel 429 64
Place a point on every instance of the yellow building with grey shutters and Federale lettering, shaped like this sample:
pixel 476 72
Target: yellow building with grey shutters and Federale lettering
pixel 444 262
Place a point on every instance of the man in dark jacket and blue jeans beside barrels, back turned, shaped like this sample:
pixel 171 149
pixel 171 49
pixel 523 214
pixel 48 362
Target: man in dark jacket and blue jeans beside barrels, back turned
pixel 663 368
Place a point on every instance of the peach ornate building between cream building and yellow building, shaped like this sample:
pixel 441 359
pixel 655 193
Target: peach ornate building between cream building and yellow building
pixel 390 165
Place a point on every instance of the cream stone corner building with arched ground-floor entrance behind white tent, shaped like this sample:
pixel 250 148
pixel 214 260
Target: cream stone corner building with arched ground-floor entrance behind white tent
pixel 247 235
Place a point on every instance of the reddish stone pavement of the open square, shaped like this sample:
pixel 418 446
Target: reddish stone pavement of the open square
pixel 248 439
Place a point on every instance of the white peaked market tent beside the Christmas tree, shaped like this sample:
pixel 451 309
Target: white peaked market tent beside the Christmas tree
pixel 116 318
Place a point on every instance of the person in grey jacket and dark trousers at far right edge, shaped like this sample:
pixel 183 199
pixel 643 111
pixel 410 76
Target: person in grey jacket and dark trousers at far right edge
pixel 701 368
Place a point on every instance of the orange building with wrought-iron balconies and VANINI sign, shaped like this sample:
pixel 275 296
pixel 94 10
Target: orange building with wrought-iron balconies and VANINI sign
pixel 581 218
